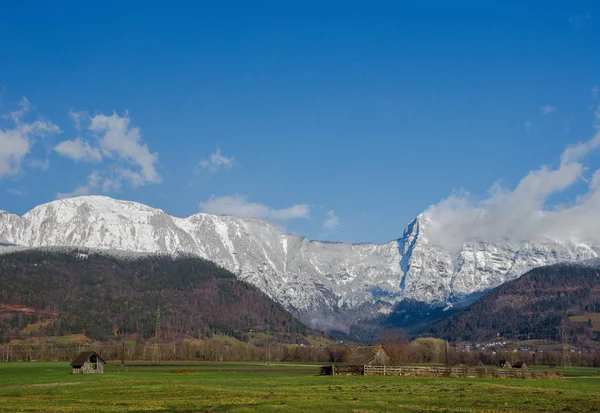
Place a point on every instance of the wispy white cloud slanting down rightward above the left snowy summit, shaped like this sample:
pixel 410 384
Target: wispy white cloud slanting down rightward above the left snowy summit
pixel 117 138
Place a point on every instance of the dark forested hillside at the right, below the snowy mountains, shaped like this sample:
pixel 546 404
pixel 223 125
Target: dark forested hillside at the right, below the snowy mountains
pixel 532 307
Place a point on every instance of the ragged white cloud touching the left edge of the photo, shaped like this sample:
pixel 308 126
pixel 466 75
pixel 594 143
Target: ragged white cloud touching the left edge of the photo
pixel 16 140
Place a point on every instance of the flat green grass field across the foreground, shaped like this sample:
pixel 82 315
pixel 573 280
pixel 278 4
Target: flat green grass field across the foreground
pixel 49 387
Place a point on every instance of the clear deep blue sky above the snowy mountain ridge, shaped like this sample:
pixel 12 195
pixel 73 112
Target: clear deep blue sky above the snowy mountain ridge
pixel 338 121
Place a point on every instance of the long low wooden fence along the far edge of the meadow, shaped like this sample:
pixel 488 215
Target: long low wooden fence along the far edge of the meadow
pixel 480 372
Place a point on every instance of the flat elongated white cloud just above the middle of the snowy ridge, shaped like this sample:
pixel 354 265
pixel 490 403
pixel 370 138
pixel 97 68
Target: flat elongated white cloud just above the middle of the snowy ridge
pixel 239 206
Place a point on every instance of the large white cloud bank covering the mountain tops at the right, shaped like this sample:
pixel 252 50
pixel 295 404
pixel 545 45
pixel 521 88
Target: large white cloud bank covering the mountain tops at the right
pixel 520 214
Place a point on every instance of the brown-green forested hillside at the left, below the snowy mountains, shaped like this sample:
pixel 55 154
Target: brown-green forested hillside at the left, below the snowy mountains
pixel 107 298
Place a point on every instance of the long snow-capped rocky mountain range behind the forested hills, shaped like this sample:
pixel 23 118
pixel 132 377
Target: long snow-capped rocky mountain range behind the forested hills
pixel 329 285
